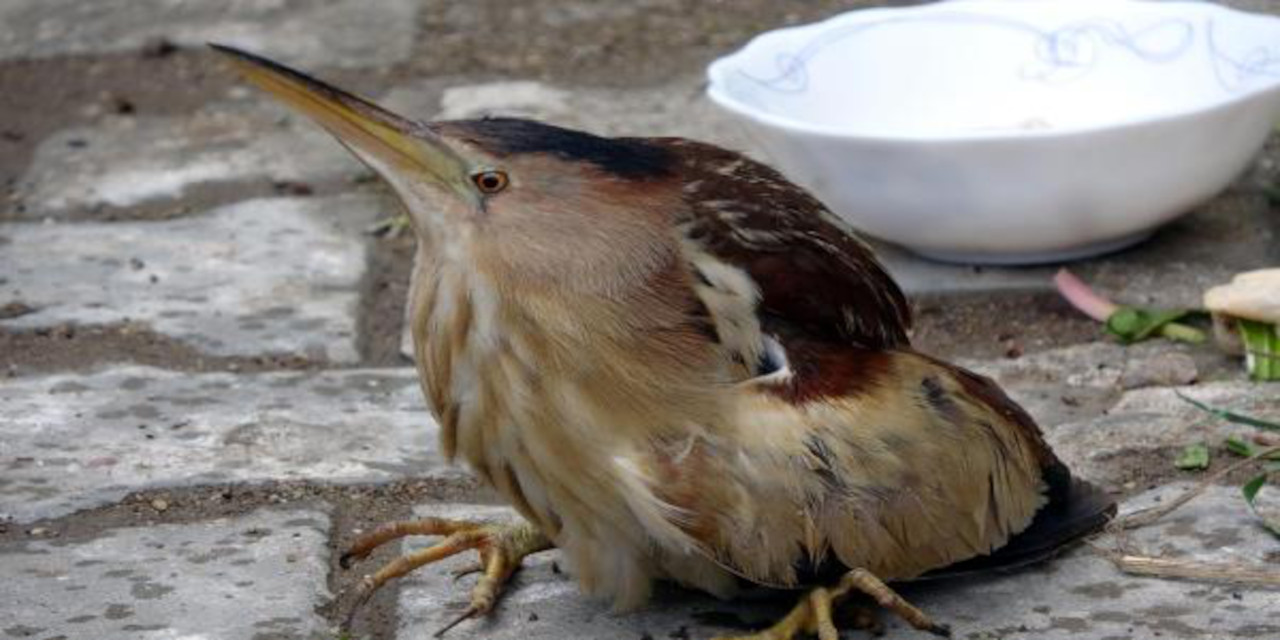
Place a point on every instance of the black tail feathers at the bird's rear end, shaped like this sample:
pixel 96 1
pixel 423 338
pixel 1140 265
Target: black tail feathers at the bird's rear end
pixel 1076 510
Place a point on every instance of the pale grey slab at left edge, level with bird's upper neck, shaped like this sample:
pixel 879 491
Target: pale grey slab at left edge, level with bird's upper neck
pixel 259 277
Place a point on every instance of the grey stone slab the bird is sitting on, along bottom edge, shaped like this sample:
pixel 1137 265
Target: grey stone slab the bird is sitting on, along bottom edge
pixel 1078 596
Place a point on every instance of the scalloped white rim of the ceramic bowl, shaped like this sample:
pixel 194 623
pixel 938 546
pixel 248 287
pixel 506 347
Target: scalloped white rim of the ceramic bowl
pixel 719 70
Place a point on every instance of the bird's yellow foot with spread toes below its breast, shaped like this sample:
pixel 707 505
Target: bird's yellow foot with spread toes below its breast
pixel 501 548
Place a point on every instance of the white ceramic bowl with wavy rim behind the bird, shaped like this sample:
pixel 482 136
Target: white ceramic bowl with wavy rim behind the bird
pixel 1012 131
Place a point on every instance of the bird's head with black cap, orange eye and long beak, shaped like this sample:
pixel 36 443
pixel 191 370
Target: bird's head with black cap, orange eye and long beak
pixel 534 202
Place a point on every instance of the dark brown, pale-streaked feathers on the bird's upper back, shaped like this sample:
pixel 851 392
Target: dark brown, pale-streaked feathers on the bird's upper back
pixel 815 276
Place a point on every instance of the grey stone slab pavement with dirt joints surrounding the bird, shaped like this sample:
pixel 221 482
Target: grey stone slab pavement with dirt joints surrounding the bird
pixel 203 396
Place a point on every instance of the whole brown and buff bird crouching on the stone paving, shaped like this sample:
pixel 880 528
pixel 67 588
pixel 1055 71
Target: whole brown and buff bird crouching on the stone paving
pixel 678 365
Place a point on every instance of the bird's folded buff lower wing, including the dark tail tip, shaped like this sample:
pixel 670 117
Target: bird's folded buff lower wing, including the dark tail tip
pixel 925 468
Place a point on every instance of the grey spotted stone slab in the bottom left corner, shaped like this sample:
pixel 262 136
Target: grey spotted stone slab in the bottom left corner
pixel 258 577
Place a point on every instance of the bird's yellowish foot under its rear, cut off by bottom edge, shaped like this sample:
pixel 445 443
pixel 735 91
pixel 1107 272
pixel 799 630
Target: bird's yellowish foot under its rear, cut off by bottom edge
pixel 813 614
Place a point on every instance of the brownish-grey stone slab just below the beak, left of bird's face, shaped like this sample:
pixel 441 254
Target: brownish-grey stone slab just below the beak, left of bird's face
pixel 126 161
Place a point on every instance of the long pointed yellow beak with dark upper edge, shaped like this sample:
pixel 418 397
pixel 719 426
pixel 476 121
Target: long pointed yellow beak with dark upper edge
pixel 388 143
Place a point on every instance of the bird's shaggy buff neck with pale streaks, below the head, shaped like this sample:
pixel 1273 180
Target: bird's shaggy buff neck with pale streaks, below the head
pixel 513 367
